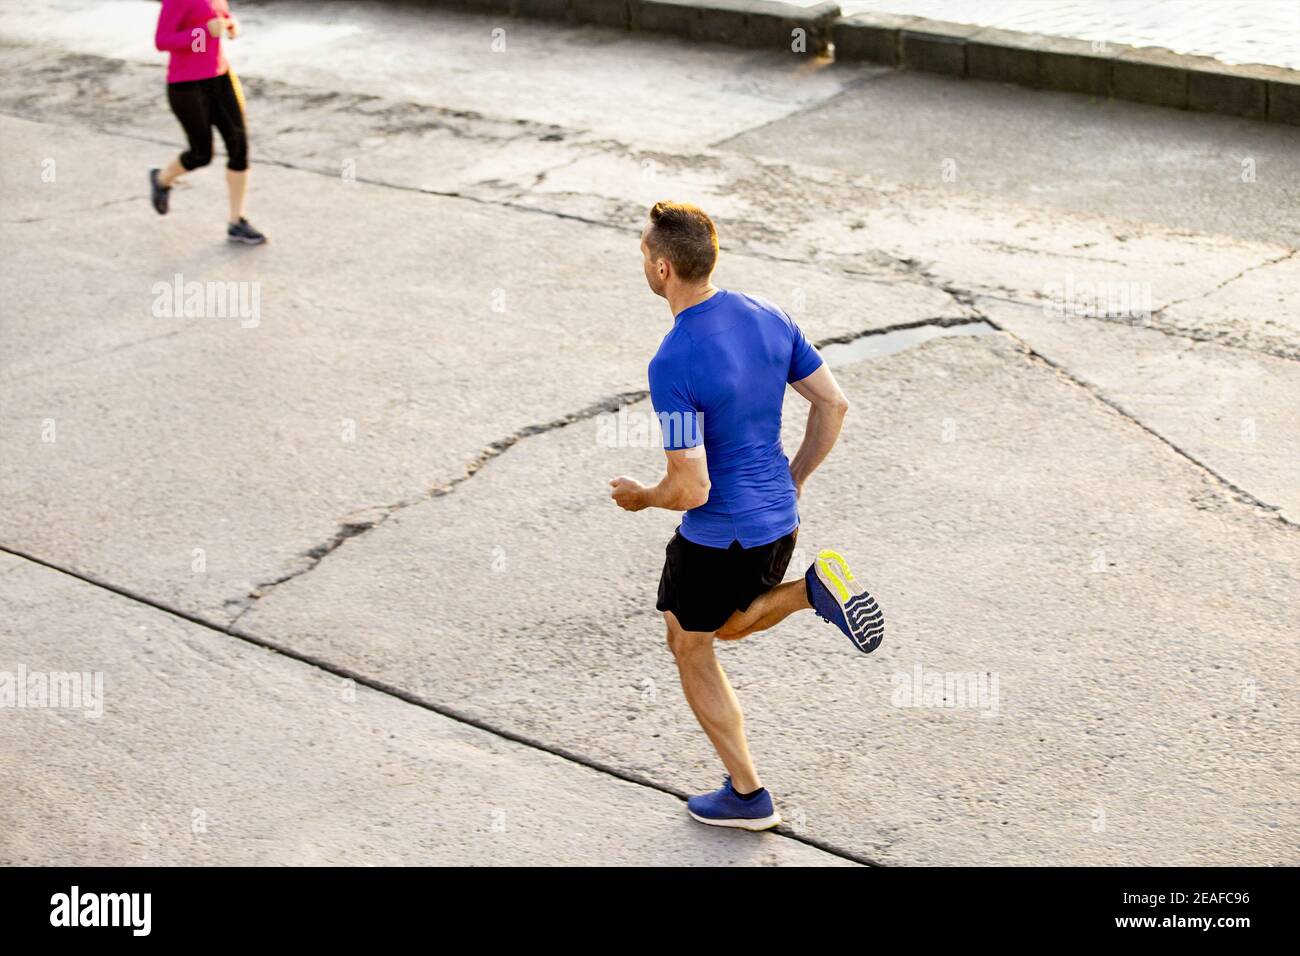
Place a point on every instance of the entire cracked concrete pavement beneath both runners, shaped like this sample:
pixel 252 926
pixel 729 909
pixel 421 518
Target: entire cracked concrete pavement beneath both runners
pixel 398 470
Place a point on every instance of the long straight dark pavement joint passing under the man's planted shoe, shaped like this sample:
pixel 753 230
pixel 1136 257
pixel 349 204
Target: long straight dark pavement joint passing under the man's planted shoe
pixel 415 700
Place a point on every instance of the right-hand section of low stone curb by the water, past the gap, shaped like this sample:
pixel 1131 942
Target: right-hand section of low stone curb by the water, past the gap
pixel 1142 75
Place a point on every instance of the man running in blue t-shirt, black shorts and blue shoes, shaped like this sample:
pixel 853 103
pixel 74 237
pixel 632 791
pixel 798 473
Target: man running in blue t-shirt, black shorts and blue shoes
pixel 717 384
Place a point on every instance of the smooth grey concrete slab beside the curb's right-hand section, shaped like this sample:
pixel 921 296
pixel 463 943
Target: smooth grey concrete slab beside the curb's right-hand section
pixel 1054 152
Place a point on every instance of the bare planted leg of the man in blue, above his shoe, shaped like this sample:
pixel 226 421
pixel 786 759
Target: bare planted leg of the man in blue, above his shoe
pixel 713 702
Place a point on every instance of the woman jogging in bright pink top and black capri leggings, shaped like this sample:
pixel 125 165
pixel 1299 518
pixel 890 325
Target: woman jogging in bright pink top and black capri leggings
pixel 203 93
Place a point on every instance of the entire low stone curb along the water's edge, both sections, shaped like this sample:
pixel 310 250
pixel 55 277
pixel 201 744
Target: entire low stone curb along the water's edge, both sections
pixel 1142 75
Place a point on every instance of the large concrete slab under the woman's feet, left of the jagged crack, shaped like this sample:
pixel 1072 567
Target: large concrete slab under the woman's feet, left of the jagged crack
pixel 201 458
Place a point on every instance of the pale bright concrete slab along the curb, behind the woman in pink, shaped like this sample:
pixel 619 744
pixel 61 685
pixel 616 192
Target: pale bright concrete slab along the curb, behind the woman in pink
pixel 528 73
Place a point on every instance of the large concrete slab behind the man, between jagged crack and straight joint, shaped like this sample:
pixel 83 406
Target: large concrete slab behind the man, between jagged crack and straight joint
pixel 1143 643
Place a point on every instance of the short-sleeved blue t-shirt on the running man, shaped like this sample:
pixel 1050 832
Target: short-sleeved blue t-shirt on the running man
pixel 720 378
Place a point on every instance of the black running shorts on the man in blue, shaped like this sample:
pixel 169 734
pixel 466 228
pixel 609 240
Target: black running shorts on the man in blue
pixel 704 586
